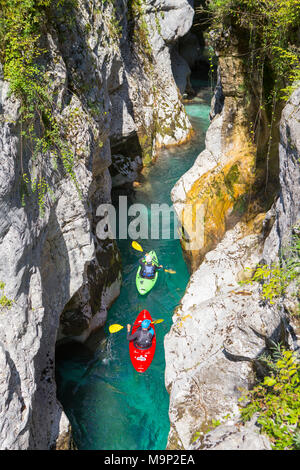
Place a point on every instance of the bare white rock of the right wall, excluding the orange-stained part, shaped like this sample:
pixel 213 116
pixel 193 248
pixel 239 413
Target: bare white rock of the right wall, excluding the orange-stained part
pixel 220 328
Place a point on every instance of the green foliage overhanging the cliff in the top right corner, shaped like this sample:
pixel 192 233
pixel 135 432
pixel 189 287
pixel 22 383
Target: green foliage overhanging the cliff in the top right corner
pixel 271 28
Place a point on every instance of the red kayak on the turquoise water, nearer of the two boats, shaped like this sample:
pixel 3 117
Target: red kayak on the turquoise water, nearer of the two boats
pixel 141 358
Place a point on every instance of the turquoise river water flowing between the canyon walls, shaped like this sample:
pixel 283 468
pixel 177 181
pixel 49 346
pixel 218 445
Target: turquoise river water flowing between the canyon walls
pixel 109 404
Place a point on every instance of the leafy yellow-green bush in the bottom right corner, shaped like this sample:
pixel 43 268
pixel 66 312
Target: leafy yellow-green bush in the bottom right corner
pixel 276 400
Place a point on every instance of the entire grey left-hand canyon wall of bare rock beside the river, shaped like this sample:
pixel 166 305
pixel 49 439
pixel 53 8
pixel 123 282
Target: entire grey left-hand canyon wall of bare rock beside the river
pixel 61 277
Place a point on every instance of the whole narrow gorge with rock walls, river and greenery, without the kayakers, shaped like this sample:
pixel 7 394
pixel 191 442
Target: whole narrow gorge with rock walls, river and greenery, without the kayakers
pixel 181 102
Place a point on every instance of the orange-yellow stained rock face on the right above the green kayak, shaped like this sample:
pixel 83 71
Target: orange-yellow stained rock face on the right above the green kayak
pixel 218 185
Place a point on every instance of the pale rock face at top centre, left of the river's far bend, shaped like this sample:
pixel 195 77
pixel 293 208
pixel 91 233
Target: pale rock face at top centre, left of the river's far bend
pixel 147 112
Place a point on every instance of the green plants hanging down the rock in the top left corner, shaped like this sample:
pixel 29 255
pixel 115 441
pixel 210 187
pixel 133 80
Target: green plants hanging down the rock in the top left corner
pixel 21 53
